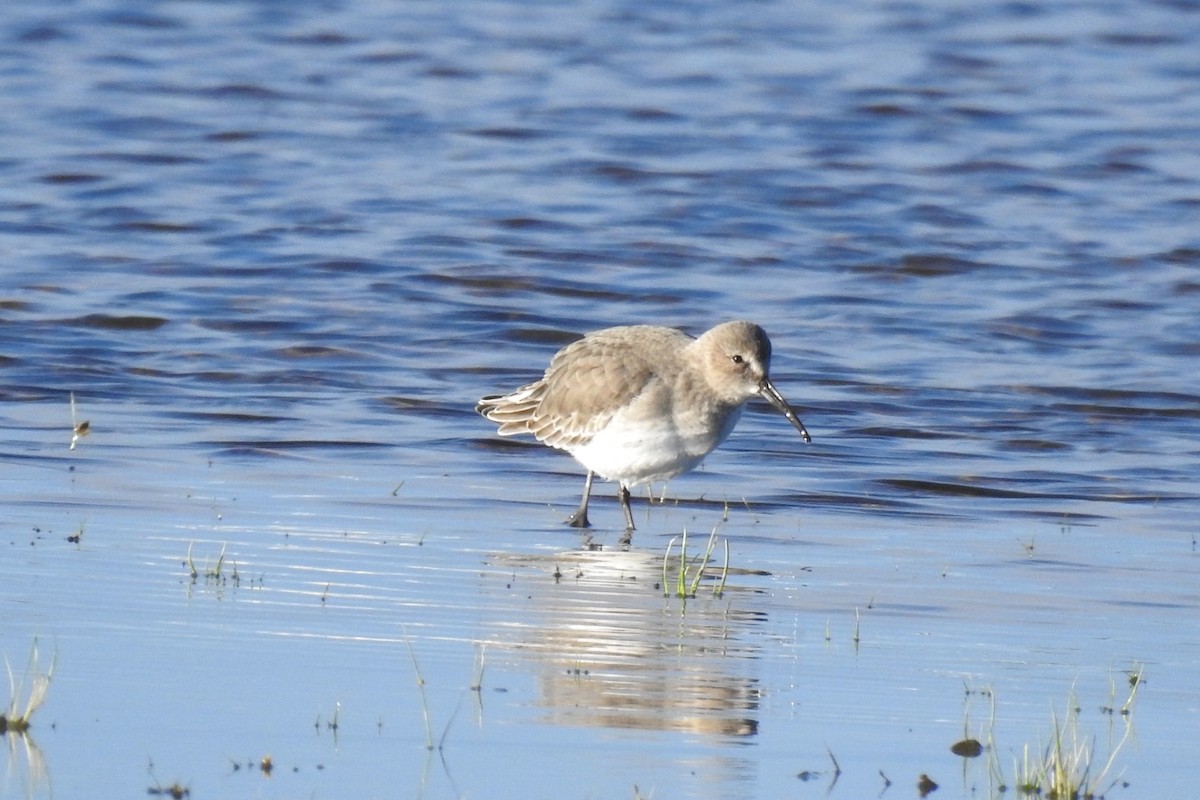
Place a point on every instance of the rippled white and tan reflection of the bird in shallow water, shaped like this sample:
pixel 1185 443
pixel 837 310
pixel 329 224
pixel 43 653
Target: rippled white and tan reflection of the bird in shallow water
pixel 610 654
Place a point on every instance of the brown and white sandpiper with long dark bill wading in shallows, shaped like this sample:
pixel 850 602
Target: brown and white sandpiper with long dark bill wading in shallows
pixel 643 404
